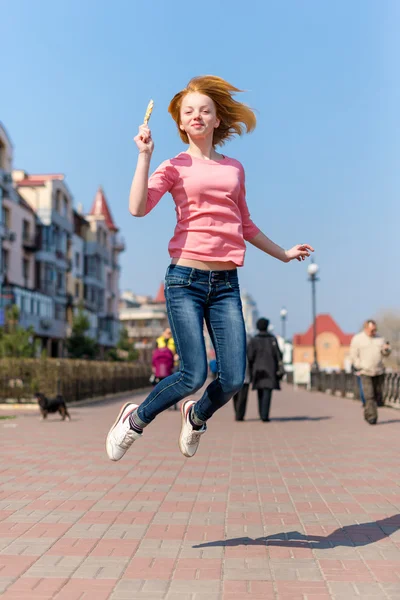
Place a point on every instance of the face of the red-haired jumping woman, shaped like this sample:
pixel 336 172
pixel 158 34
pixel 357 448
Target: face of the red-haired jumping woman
pixel 198 116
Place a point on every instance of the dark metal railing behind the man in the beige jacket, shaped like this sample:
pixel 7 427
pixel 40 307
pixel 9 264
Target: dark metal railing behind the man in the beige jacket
pixel 345 384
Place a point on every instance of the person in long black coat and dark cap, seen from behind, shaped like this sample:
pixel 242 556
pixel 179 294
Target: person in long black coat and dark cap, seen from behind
pixel 266 367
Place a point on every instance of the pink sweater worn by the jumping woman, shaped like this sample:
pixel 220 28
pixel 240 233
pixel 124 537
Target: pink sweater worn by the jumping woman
pixel 210 202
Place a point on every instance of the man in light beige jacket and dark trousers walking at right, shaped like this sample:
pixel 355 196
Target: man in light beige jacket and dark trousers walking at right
pixel 367 351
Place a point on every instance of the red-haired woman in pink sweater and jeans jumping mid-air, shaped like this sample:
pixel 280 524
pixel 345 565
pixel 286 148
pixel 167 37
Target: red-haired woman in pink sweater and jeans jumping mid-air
pixel 208 246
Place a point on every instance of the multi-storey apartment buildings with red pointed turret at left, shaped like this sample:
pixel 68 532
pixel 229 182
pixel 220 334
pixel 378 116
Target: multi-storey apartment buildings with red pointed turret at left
pixel 55 259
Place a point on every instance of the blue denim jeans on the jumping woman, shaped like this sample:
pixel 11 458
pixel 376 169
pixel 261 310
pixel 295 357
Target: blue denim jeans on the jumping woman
pixel 194 296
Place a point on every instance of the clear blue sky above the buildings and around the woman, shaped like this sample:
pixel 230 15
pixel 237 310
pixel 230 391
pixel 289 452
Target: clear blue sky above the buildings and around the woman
pixel 322 166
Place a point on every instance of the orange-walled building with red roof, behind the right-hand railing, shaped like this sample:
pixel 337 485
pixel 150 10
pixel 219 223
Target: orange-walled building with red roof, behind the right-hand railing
pixel 333 345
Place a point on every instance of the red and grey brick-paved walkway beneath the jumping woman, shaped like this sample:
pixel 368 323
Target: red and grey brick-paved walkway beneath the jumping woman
pixel 306 506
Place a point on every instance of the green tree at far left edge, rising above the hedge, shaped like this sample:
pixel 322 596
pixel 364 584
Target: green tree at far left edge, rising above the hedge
pixel 15 341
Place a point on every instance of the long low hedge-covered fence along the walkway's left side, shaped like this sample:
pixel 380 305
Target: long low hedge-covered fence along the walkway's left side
pixel 74 379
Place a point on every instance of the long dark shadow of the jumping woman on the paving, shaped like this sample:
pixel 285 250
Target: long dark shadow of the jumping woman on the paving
pixel 360 534
